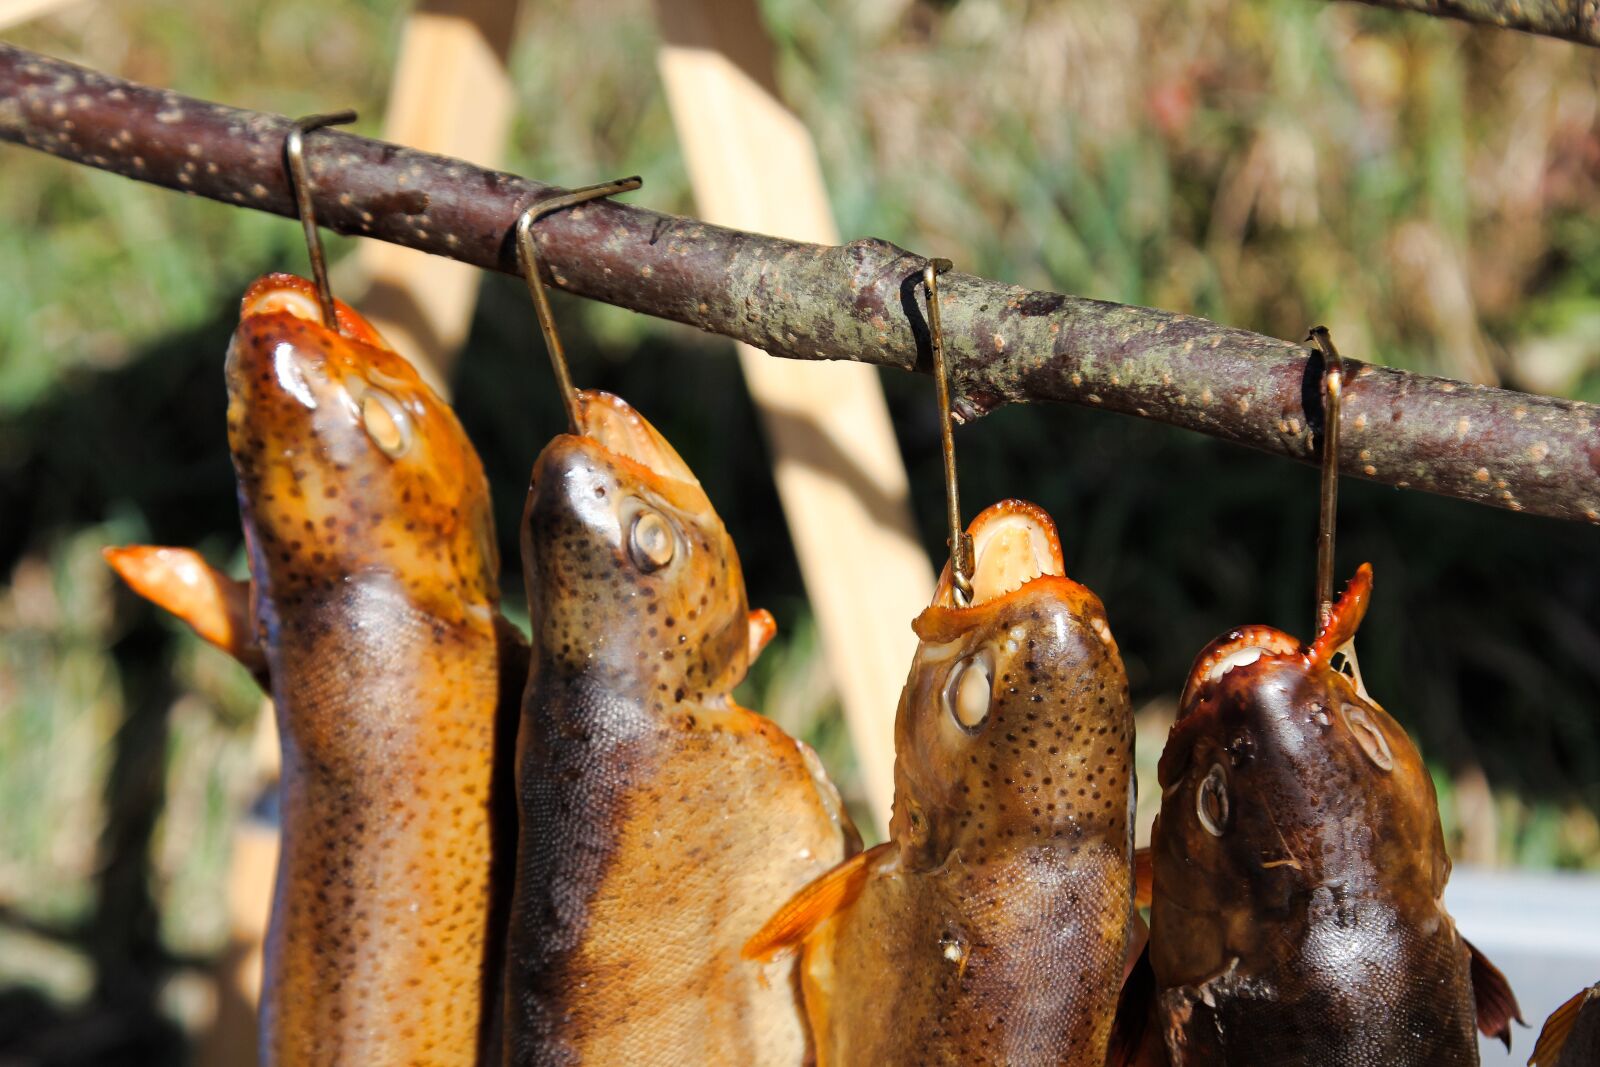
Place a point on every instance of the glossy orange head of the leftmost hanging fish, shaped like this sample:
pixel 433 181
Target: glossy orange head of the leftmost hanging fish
pixel 348 462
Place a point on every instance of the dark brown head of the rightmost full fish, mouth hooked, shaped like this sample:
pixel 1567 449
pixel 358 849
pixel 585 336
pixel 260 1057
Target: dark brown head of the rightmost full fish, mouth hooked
pixel 1282 778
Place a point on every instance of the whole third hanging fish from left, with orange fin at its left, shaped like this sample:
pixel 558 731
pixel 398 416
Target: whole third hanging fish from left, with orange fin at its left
pixel 994 925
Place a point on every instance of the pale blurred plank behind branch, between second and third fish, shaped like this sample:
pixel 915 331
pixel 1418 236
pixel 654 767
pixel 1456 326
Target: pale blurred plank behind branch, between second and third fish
pixel 753 166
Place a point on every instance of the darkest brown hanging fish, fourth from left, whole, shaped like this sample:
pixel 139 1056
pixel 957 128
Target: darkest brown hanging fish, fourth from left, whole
pixel 1300 869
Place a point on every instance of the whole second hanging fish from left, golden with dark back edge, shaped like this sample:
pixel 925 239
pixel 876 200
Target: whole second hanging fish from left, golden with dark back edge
pixel 662 823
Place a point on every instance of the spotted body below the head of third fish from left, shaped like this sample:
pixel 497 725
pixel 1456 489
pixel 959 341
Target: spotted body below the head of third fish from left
pixel 1014 962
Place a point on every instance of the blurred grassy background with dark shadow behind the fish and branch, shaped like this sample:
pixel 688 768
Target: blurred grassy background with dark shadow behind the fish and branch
pixel 1423 188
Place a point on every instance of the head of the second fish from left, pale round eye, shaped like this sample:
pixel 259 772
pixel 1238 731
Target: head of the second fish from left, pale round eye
pixel 630 570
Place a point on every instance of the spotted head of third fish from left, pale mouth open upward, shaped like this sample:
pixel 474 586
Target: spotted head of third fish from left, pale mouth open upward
pixel 1014 727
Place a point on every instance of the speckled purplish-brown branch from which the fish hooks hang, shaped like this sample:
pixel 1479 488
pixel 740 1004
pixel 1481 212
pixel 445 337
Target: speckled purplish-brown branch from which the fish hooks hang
pixel 857 302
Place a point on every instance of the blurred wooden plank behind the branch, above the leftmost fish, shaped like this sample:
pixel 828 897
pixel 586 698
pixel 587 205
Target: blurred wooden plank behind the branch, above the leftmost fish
pixel 452 94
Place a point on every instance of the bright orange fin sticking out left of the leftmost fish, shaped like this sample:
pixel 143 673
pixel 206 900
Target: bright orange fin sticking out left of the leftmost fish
pixel 215 605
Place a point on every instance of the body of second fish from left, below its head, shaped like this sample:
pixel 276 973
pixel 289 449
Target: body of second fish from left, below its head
pixel 646 868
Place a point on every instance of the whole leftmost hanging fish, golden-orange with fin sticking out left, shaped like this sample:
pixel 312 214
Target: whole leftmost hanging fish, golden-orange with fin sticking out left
pixel 372 618
